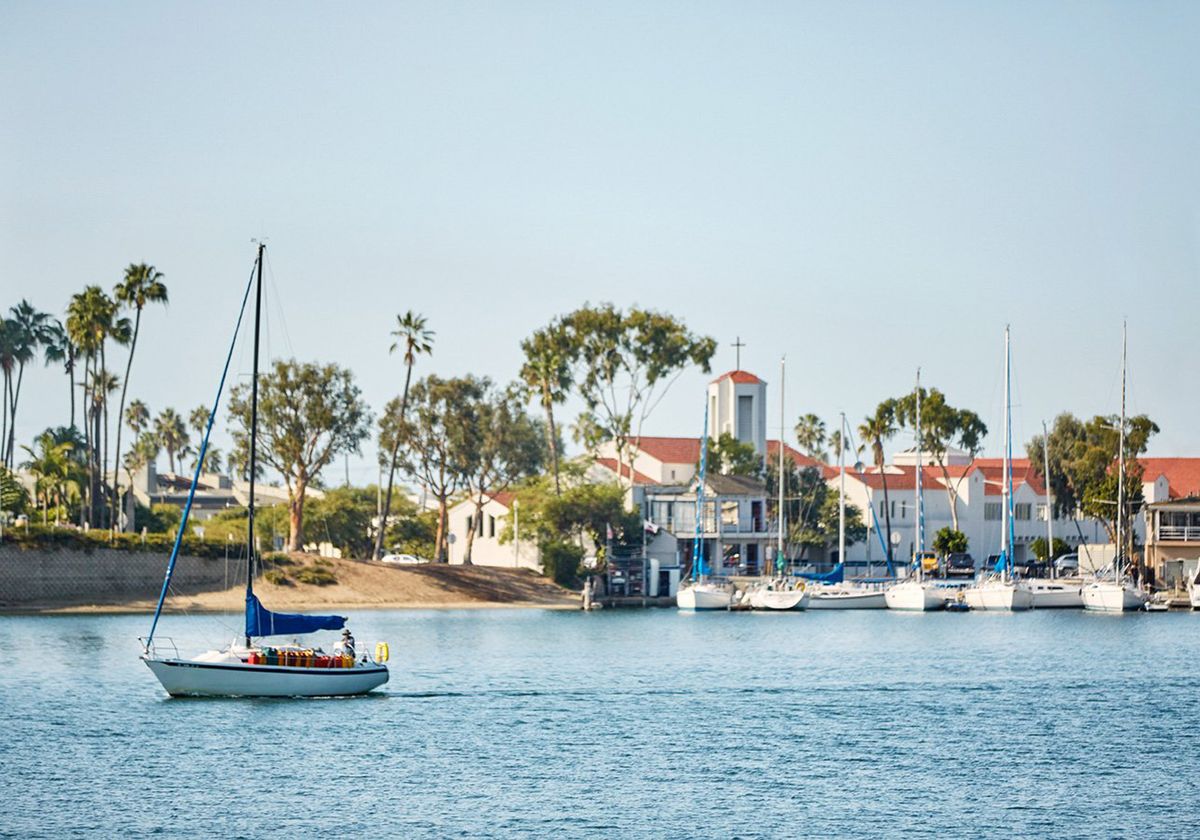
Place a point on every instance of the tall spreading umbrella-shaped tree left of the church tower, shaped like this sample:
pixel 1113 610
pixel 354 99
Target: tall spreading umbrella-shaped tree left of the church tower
pixel 627 363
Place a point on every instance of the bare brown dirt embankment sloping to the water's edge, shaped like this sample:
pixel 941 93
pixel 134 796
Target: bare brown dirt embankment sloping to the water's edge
pixel 361 585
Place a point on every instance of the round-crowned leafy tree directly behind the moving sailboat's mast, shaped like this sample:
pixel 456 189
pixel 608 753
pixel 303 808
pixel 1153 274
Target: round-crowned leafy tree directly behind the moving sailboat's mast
pixel 308 415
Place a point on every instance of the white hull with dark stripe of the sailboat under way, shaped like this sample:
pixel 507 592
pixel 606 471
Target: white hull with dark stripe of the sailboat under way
pixel 193 679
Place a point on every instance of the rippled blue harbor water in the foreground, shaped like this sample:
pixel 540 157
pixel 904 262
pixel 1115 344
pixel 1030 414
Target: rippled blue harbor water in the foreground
pixel 623 724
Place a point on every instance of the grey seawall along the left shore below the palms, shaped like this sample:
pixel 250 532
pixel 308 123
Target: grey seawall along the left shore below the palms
pixel 39 579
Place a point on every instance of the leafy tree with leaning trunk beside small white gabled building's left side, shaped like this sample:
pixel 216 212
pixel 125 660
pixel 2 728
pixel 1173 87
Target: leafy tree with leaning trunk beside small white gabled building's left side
pixel 507 446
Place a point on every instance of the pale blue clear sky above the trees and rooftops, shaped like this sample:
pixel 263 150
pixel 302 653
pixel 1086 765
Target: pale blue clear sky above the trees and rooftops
pixel 863 188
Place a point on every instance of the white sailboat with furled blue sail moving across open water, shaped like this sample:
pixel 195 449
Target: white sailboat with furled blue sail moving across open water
pixel 248 669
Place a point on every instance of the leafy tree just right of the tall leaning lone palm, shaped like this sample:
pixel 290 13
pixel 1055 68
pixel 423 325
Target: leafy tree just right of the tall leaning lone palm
pixel 437 437
